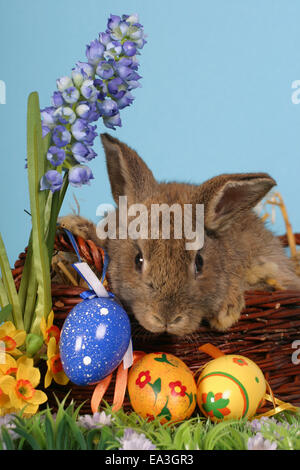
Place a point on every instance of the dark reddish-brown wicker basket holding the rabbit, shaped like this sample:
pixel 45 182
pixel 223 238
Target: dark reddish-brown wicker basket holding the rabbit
pixel 265 333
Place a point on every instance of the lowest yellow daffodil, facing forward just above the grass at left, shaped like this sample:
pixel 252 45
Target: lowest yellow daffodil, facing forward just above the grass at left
pixel 21 388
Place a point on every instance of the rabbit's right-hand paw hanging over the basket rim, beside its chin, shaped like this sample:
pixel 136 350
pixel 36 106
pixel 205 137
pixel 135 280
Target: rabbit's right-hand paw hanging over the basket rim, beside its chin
pixel 228 314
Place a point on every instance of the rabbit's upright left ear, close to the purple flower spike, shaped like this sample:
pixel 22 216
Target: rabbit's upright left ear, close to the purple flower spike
pixel 128 174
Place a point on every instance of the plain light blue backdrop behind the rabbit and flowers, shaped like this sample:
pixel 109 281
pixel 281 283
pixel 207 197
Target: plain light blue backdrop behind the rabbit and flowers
pixel 216 93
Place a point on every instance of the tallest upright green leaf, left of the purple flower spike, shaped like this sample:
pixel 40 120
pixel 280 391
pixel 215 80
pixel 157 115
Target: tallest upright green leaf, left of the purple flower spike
pixel 37 166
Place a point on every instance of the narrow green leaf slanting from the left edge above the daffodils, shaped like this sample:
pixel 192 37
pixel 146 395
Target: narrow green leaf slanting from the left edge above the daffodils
pixel 10 287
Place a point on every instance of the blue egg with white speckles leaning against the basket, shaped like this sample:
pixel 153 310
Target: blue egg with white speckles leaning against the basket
pixel 94 339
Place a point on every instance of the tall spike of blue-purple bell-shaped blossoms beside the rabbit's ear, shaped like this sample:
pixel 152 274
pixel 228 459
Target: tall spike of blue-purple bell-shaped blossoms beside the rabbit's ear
pixel 97 88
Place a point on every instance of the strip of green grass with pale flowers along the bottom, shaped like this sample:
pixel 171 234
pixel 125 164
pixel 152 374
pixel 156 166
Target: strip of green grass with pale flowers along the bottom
pixel 66 430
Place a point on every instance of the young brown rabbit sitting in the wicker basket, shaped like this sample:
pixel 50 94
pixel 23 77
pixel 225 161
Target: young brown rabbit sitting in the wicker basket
pixel 169 288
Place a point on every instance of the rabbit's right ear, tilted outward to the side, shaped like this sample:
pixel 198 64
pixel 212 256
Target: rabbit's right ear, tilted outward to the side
pixel 226 197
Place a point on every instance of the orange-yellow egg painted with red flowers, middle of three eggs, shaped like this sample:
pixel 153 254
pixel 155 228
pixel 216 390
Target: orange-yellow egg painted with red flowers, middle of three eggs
pixel 161 385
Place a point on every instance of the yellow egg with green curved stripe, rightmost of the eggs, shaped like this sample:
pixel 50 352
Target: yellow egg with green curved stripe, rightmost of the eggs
pixel 230 387
